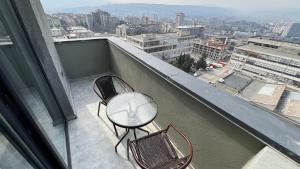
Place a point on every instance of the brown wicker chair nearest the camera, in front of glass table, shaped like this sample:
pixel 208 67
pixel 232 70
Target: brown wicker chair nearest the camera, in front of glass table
pixel 155 151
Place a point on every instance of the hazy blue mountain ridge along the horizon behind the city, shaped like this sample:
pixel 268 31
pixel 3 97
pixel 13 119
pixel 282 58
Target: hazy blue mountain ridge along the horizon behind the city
pixel 191 11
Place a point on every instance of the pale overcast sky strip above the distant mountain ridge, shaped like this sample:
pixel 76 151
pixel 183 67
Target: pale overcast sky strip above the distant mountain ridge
pixel 240 4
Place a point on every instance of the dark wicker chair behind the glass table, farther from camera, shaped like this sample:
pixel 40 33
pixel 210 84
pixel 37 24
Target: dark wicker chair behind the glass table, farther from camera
pixel 106 86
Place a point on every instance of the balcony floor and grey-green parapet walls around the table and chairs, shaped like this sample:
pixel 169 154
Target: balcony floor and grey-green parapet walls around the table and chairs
pixel 226 132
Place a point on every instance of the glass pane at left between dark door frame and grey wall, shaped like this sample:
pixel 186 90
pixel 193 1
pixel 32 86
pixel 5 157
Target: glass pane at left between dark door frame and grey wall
pixel 25 75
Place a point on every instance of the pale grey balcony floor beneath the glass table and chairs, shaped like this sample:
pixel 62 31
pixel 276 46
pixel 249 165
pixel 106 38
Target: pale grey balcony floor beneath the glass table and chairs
pixel 92 139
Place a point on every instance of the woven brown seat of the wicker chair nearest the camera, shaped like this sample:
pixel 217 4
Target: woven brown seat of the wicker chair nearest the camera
pixel 156 150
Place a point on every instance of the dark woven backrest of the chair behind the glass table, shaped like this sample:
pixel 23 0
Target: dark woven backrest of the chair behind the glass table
pixel 106 87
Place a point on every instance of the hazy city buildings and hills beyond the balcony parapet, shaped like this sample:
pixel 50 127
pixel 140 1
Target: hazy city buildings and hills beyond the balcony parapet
pixel 256 61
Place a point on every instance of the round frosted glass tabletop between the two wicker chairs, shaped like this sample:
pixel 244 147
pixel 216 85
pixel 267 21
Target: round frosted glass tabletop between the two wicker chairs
pixel 131 110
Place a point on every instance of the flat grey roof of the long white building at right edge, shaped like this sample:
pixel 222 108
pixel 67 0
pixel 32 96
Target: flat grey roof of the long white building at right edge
pixel 267 51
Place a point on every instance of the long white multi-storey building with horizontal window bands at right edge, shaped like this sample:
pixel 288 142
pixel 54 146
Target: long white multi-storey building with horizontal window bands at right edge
pixel 268 59
